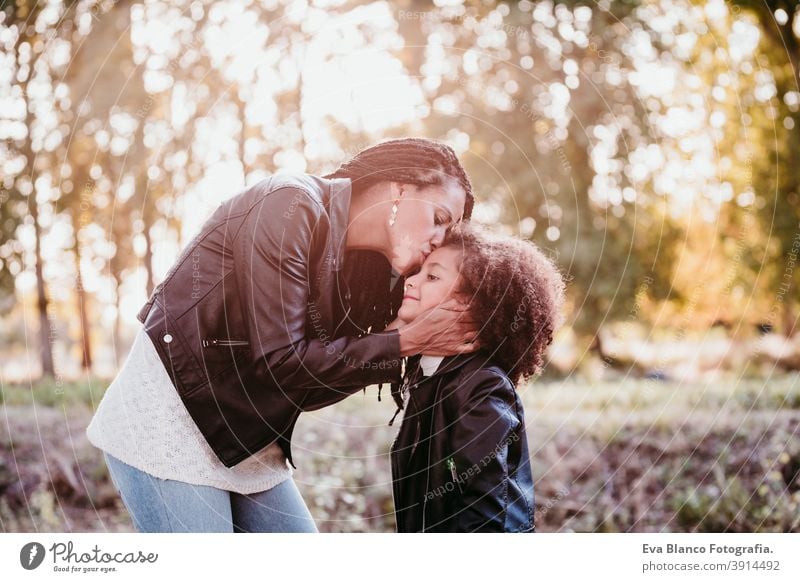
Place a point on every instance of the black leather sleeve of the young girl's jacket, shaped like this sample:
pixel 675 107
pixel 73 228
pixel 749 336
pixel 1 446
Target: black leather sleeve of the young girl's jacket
pixel 482 426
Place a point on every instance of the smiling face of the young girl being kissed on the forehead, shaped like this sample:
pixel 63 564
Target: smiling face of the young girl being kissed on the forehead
pixel 437 281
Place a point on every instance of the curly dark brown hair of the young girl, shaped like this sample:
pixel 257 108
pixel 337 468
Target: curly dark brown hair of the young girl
pixel 515 291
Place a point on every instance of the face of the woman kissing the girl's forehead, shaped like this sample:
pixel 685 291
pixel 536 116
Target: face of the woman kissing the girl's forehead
pixel 423 217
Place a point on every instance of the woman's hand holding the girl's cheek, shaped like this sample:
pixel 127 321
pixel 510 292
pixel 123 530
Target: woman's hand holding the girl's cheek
pixel 444 330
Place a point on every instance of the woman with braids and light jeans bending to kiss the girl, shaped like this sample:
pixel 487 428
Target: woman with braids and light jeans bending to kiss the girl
pixel 275 307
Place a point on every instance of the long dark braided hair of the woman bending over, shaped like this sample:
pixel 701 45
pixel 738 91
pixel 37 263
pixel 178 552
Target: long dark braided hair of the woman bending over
pixel 376 291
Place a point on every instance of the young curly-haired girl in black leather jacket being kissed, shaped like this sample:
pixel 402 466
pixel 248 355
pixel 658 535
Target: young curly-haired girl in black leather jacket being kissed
pixel 460 461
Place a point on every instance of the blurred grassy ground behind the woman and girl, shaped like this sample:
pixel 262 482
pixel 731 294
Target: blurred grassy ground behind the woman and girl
pixel 631 455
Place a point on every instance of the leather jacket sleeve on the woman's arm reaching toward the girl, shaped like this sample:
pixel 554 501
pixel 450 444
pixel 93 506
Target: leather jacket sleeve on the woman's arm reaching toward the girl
pixel 271 261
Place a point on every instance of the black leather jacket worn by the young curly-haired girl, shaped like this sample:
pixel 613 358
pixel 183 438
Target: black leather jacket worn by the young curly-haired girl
pixel 460 461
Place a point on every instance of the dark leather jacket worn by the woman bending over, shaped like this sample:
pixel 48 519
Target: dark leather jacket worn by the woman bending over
pixel 245 322
